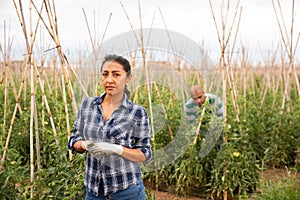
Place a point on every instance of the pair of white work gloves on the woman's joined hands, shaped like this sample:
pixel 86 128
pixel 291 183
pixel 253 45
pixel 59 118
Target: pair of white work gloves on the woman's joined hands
pixel 99 149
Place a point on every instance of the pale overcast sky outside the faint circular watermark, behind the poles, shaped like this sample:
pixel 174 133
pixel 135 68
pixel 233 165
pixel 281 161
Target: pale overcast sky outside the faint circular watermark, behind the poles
pixel 259 31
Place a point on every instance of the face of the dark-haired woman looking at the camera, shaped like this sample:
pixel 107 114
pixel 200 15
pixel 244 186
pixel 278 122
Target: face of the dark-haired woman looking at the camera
pixel 113 78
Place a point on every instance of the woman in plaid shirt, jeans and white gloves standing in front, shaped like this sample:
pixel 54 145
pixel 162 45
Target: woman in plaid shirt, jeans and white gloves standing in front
pixel 115 133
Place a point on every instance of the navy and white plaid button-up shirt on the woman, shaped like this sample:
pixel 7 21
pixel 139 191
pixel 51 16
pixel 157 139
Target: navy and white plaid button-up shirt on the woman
pixel 127 126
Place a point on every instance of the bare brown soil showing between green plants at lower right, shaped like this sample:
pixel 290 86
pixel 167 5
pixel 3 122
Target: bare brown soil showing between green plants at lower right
pixel 269 174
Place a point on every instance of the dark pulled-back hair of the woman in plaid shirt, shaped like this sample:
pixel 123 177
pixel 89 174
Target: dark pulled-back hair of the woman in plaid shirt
pixel 122 61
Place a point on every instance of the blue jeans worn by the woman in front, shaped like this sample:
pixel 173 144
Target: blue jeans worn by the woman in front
pixel 134 192
